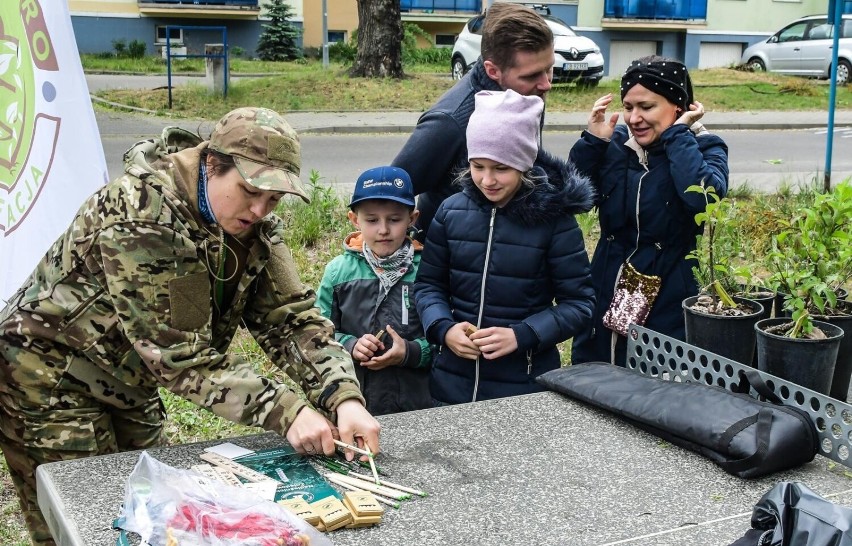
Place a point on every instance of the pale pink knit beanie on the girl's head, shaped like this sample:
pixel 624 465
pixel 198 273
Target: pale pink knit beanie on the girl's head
pixel 505 128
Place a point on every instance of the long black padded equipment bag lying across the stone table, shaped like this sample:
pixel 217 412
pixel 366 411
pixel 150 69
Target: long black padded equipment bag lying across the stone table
pixel 747 437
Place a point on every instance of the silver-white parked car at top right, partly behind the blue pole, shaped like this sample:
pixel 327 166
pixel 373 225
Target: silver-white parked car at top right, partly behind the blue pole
pixel 803 48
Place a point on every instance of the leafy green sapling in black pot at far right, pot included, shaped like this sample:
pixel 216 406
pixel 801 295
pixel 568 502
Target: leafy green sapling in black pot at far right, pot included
pixel 811 259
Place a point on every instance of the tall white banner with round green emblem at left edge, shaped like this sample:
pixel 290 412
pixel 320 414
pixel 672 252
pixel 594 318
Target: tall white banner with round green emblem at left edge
pixel 51 157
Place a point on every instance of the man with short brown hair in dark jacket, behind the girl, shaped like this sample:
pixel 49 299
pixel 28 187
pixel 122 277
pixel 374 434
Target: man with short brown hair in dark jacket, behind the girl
pixel 517 54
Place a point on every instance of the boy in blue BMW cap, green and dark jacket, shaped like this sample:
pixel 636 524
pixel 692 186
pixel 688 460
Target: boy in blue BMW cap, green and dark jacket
pixel 366 292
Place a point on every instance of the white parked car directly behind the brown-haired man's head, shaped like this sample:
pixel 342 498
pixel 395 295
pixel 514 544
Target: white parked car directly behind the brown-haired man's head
pixel 577 58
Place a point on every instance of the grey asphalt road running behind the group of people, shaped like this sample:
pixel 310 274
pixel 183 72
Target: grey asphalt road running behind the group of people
pixel 762 159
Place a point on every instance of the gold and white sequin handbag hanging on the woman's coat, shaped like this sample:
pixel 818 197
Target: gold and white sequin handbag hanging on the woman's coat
pixel 631 303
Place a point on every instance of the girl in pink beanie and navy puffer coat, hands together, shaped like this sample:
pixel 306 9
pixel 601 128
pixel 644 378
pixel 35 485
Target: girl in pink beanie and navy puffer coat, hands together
pixel 506 258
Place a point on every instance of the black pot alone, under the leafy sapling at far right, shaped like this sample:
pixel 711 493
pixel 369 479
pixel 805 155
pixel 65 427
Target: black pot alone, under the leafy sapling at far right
pixel 805 362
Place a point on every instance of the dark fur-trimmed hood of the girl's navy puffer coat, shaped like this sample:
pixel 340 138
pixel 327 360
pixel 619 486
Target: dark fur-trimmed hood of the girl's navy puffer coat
pixel 559 190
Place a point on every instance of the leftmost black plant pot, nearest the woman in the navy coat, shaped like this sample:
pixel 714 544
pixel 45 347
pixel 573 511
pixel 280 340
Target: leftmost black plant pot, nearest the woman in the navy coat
pixel 731 337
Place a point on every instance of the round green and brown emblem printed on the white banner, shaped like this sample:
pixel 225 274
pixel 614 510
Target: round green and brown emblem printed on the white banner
pixel 25 47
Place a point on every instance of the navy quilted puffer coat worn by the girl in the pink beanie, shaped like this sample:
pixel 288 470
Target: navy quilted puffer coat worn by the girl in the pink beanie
pixel 522 266
